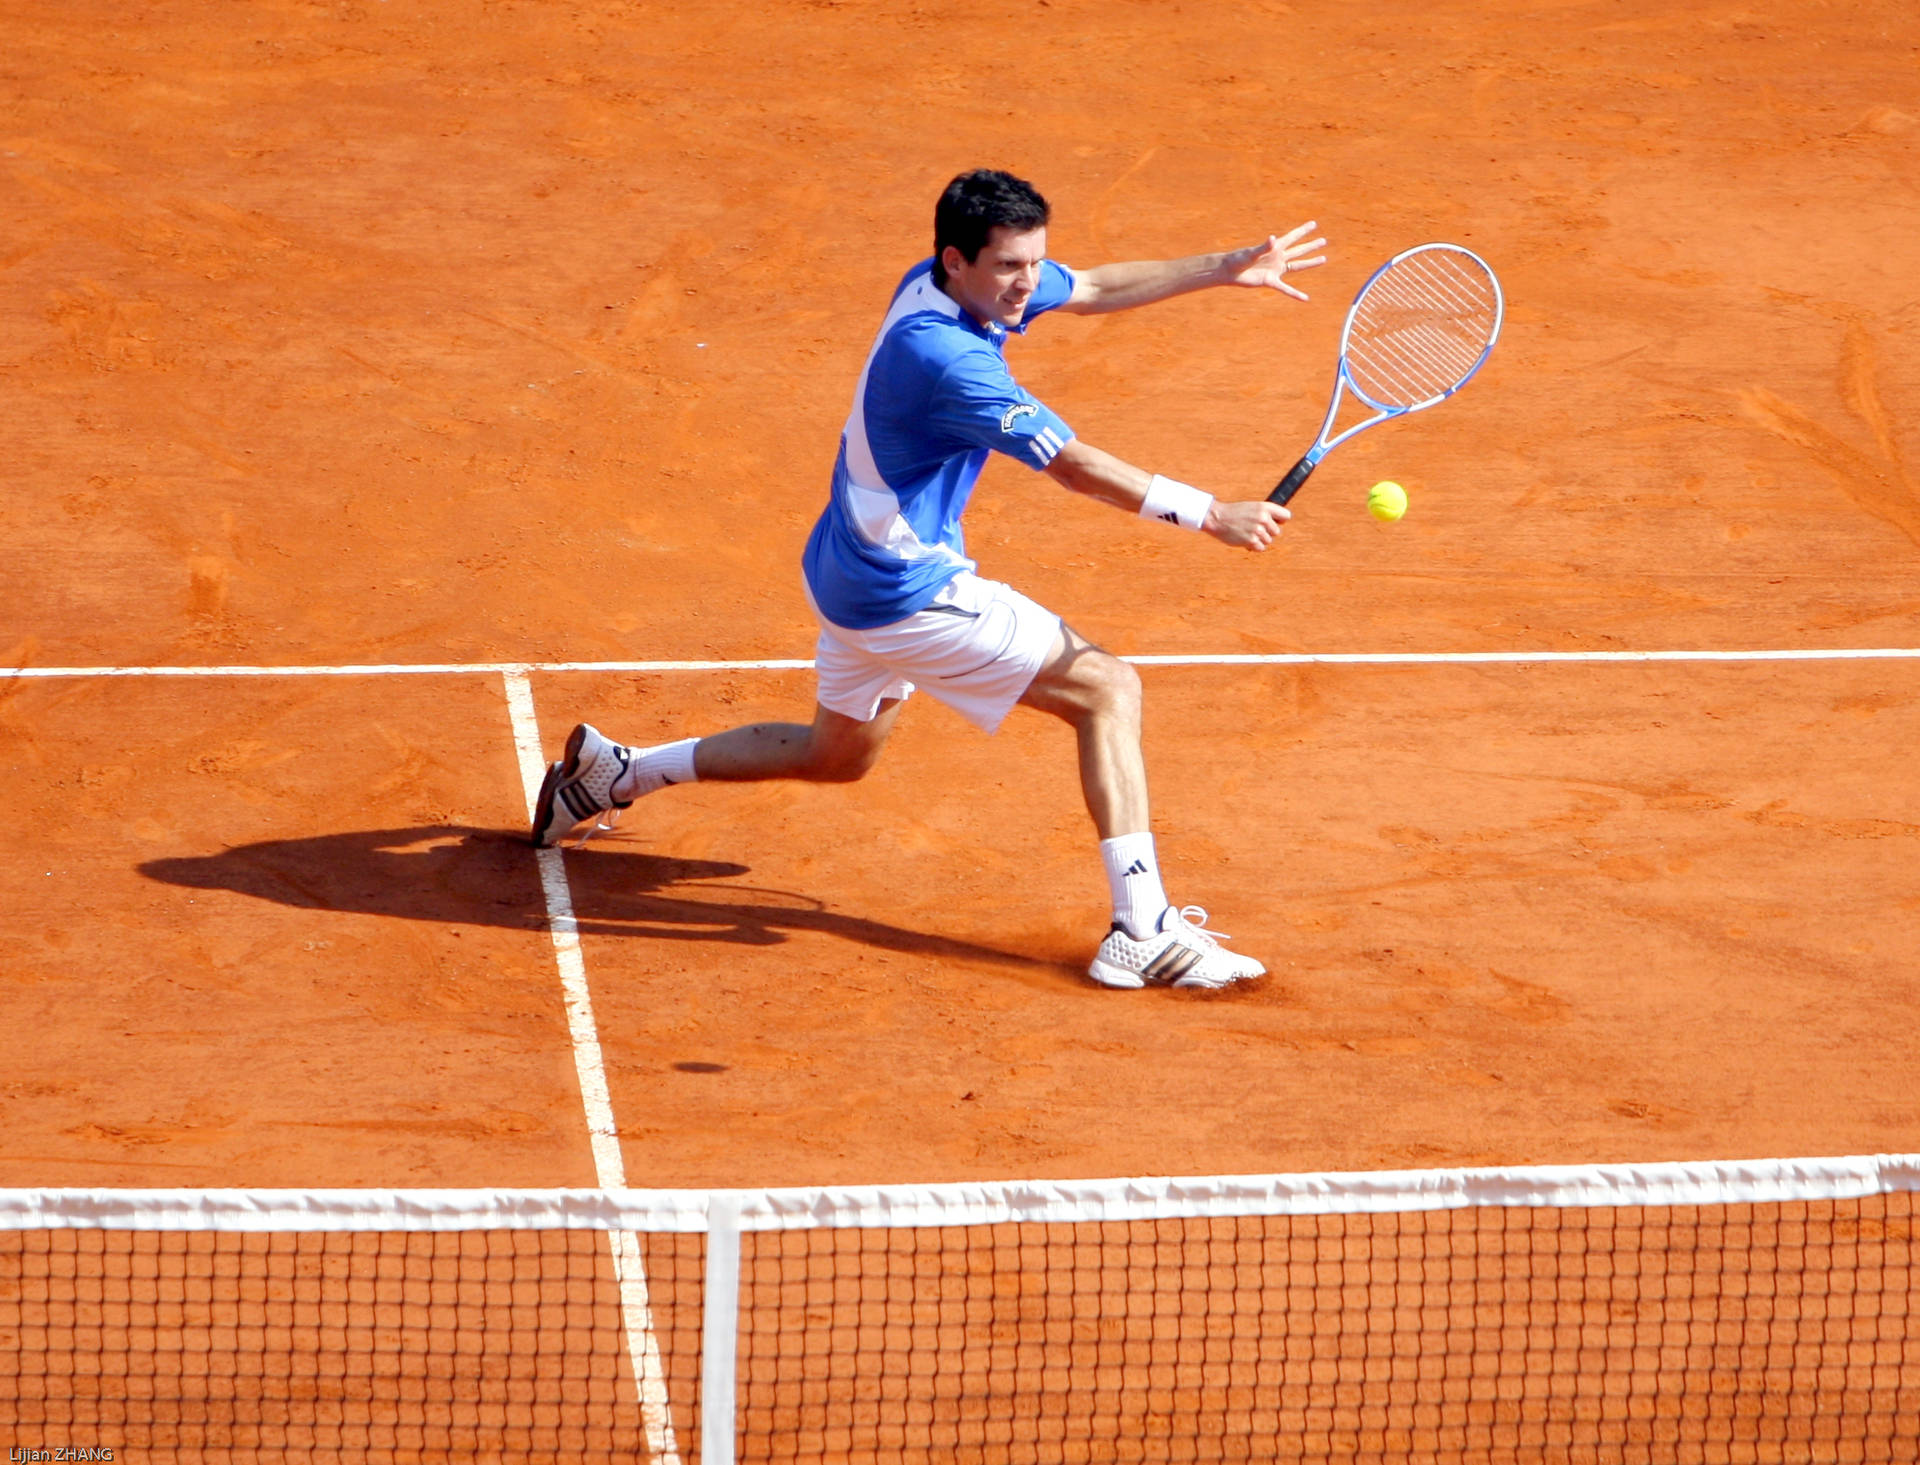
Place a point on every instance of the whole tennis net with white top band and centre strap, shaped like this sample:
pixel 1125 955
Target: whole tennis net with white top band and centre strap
pixel 1698 1312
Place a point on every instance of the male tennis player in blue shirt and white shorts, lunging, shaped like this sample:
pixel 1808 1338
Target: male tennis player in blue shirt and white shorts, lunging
pixel 898 598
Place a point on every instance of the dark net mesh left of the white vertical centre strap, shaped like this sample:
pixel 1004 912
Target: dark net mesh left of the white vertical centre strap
pixel 337 1347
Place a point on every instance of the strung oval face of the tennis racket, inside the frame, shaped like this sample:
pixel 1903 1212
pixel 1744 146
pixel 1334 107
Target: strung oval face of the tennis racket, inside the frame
pixel 1422 327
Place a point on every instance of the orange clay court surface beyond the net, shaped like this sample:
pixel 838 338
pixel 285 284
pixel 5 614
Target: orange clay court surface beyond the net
pixel 400 333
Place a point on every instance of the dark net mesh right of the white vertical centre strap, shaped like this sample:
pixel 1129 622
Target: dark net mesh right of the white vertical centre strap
pixel 1487 1335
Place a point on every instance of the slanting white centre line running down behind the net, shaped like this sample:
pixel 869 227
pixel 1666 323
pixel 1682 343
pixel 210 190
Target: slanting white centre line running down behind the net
pixel 610 1170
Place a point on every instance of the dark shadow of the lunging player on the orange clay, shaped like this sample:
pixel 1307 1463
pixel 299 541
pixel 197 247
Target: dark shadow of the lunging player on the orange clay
pixel 464 877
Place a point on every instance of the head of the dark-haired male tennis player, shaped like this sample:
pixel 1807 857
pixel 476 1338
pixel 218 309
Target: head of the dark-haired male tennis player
pixel 990 237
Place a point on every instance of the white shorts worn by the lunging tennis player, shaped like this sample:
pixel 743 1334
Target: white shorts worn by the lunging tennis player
pixel 976 648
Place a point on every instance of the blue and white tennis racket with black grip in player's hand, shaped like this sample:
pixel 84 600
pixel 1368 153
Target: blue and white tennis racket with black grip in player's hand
pixel 1416 335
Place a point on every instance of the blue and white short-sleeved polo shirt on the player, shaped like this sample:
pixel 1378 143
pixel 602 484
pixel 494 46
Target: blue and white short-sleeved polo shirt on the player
pixel 934 400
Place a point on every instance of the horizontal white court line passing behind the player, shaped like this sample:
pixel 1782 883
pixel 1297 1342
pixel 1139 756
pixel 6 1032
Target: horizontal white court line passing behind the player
pixel 510 669
